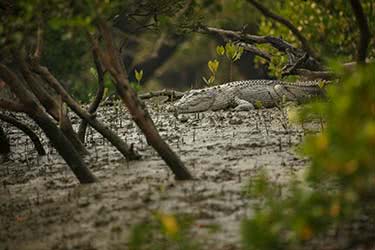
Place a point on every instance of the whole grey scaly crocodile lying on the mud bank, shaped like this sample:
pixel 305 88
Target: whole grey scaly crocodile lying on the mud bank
pixel 247 95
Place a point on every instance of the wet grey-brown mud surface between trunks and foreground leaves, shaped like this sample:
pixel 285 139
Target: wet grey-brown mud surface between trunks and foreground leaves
pixel 42 206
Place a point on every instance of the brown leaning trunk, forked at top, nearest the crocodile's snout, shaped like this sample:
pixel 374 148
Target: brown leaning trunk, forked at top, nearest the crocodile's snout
pixel 137 109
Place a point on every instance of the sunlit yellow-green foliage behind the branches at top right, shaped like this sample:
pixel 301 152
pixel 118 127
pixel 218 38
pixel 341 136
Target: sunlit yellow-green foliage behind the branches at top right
pixel 329 26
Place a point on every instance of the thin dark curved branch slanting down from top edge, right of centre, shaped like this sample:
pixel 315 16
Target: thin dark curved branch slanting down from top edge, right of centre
pixel 266 12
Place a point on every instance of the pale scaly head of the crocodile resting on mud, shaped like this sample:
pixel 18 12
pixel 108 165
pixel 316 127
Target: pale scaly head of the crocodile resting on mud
pixel 196 101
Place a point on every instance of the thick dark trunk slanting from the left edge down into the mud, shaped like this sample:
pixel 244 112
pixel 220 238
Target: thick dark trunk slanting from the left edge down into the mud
pixel 33 109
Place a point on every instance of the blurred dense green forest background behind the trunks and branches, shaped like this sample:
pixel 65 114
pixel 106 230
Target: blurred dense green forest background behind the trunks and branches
pixel 172 51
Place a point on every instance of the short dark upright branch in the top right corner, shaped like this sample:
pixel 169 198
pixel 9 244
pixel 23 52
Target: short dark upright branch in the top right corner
pixel 364 31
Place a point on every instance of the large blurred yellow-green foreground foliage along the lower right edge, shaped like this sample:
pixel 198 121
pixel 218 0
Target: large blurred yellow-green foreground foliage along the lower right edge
pixel 342 158
